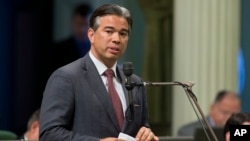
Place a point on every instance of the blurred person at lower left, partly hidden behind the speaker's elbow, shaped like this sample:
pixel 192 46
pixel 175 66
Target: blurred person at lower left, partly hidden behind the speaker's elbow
pixel 32 132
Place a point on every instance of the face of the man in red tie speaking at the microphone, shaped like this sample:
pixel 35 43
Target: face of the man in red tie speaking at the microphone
pixel 110 39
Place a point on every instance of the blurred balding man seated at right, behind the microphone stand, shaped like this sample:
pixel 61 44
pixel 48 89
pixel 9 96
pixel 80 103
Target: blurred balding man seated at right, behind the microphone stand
pixel 225 104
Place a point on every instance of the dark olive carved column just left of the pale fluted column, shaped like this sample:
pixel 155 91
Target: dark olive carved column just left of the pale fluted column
pixel 158 58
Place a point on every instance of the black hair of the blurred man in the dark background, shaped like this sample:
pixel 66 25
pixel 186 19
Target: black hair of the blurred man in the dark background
pixel 82 9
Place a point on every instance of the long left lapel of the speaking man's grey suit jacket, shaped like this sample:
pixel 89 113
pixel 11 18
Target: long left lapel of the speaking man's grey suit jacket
pixel 98 88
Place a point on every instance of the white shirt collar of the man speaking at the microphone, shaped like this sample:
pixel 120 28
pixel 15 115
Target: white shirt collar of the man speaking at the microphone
pixel 101 68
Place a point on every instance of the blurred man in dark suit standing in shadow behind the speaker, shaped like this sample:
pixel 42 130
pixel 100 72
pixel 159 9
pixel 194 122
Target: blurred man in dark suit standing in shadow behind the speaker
pixel 76 45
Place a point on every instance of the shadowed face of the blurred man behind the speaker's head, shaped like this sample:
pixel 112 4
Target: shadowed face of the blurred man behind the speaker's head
pixel 80 27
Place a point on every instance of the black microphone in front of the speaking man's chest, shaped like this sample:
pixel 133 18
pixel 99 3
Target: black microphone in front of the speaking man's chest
pixel 128 71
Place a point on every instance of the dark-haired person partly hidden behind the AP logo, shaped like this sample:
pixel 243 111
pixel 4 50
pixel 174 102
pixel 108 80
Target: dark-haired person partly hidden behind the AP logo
pixel 236 119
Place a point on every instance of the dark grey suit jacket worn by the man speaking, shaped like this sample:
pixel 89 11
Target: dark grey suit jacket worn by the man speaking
pixel 76 105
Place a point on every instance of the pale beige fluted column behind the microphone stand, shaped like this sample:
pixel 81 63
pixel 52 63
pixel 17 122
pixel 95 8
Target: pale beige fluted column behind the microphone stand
pixel 206 41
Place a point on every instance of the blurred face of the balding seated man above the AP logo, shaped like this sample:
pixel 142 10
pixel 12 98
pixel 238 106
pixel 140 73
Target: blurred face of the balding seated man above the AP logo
pixel 221 111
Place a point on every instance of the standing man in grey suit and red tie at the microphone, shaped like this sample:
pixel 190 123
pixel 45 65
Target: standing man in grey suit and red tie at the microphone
pixel 77 103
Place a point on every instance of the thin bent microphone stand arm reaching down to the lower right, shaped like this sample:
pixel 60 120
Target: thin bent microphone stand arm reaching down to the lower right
pixel 192 99
